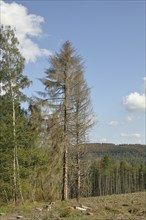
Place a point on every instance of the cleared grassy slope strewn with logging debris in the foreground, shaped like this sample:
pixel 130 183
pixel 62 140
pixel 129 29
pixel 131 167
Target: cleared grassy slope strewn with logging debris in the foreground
pixel 115 207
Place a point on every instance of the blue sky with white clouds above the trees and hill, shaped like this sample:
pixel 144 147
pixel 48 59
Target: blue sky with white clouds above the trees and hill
pixel 110 37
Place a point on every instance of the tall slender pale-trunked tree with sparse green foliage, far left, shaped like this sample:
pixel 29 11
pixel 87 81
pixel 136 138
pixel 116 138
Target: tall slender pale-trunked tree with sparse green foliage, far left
pixel 12 82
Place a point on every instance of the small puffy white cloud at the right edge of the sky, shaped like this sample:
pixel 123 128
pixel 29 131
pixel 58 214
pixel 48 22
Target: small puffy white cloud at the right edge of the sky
pixel 135 102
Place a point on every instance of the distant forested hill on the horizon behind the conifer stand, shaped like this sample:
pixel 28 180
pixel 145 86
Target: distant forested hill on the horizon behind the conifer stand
pixel 131 152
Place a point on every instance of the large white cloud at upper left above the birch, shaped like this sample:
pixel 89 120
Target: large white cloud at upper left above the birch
pixel 27 26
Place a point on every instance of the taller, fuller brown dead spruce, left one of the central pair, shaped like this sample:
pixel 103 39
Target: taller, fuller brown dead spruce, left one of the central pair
pixel 63 83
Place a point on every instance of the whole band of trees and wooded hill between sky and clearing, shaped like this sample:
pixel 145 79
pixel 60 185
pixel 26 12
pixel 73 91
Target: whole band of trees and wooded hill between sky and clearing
pixel 45 150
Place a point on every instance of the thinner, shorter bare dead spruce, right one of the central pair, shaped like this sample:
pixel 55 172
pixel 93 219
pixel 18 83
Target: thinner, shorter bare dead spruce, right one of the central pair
pixel 83 120
